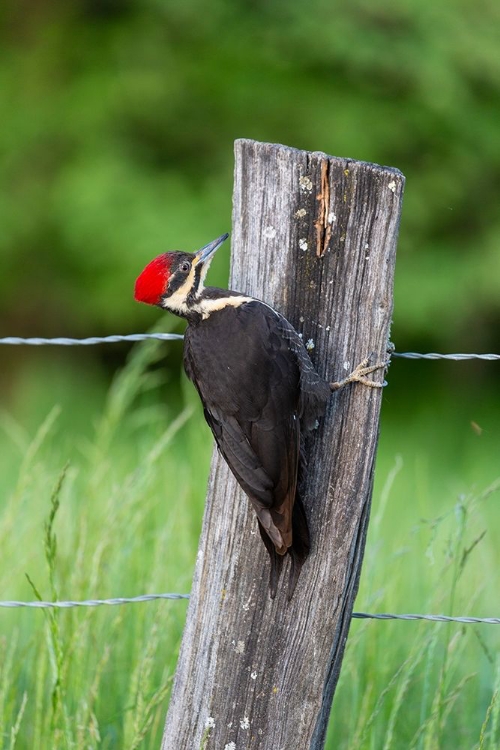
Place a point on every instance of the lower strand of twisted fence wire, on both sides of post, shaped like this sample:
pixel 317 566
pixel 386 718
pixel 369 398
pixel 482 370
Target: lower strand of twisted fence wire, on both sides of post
pixel 153 597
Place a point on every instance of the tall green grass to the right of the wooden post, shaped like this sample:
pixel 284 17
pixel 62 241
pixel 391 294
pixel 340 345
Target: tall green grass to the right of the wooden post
pixel 433 547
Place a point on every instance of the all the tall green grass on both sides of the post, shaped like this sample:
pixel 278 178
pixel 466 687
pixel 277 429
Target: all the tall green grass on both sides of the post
pixel 104 496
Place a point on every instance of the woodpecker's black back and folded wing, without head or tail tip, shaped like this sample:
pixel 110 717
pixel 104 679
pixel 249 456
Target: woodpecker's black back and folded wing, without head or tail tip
pixel 249 383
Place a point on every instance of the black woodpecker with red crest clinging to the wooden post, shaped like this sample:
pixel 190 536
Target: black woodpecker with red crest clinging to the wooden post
pixel 258 387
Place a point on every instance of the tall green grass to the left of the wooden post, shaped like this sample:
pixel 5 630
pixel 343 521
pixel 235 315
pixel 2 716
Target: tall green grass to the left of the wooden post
pixel 120 518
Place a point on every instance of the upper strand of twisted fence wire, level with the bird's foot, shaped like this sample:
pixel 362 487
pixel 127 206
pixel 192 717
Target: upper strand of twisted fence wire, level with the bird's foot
pixel 91 340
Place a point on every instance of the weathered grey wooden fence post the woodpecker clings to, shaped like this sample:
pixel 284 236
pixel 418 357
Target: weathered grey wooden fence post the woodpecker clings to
pixel 315 236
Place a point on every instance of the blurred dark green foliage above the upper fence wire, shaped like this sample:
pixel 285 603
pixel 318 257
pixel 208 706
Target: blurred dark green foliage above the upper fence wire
pixel 118 120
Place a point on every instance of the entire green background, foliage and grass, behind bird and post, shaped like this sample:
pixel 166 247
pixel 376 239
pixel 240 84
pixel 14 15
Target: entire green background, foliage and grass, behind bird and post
pixel 116 144
